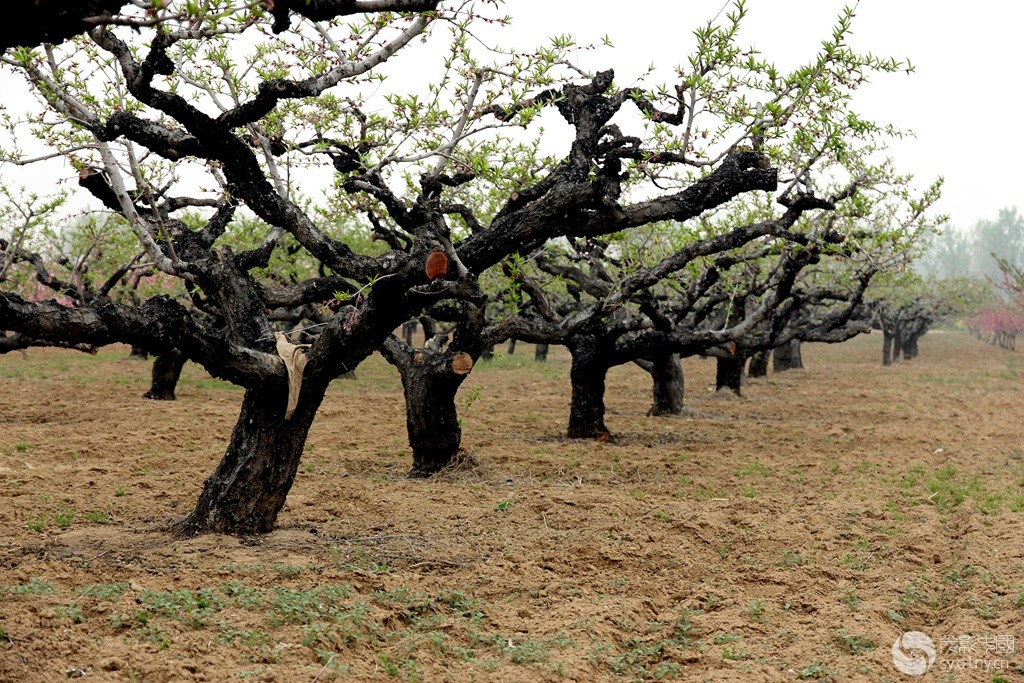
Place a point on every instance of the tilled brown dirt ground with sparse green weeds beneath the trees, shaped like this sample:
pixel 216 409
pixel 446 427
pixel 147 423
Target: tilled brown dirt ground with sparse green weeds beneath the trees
pixel 793 534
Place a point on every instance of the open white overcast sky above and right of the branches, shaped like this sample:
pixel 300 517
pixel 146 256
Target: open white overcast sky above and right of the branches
pixel 964 102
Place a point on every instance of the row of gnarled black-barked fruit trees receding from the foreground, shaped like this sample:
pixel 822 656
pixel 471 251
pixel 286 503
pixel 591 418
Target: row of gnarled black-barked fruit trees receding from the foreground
pixel 259 175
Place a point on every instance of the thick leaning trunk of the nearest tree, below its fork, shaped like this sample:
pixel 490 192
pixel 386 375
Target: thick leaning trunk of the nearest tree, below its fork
pixel 247 491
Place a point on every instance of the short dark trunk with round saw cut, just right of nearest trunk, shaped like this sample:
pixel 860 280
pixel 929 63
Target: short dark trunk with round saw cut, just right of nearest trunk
pixel 431 379
